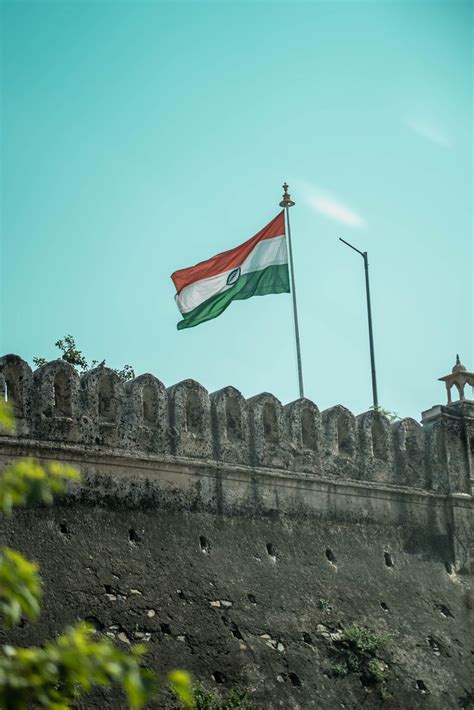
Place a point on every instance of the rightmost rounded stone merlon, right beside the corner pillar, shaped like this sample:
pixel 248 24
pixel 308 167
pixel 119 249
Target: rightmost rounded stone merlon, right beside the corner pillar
pixel 409 451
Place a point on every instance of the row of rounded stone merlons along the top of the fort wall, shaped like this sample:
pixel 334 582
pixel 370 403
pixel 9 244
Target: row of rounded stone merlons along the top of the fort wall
pixel 97 409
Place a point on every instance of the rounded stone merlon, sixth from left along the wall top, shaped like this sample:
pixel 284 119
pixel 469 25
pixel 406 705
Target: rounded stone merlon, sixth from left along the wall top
pixel 230 423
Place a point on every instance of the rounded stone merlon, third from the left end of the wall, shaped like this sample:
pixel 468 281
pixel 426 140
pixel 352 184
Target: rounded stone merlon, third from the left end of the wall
pixel 102 392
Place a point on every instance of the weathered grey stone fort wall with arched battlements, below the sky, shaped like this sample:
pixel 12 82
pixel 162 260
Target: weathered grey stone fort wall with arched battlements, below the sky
pixel 237 536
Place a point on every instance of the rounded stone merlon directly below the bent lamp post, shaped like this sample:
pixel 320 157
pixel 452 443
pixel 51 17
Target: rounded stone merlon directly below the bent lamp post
pixel 375 454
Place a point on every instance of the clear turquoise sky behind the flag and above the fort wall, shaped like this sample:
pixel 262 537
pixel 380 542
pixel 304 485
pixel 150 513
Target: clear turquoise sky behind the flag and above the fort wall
pixel 143 137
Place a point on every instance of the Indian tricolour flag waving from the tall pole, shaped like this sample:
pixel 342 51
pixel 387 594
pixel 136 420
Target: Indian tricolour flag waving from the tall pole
pixel 257 267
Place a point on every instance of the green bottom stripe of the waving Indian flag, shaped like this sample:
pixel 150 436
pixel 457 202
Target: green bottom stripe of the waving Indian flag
pixel 273 279
